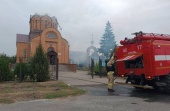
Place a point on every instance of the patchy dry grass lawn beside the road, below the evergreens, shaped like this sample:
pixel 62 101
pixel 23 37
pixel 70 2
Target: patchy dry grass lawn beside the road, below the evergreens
pixel 24 91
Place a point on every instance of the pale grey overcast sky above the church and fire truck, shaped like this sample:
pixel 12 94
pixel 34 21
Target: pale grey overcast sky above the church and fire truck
pixel 80 19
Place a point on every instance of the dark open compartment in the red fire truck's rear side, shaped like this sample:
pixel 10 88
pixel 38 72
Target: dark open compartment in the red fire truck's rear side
pixel 133 64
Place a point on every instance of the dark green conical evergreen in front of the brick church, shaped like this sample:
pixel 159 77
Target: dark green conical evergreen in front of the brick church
pixel 39 67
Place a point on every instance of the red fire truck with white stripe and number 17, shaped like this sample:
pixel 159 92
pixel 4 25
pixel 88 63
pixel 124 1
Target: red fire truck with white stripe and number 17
pixel 145 60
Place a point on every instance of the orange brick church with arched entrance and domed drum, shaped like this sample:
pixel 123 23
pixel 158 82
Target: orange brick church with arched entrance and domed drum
pixel 44 31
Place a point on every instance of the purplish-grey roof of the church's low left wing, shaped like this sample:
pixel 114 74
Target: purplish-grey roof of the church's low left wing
pixel 22 38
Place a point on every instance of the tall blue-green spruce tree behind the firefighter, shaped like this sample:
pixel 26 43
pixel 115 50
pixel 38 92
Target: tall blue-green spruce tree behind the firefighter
pixel 107 43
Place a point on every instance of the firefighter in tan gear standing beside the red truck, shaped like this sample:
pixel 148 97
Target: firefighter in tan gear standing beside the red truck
pixel 110 73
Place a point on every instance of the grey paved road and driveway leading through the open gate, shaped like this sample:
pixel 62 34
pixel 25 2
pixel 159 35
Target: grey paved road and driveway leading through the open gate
pixel 125 98
